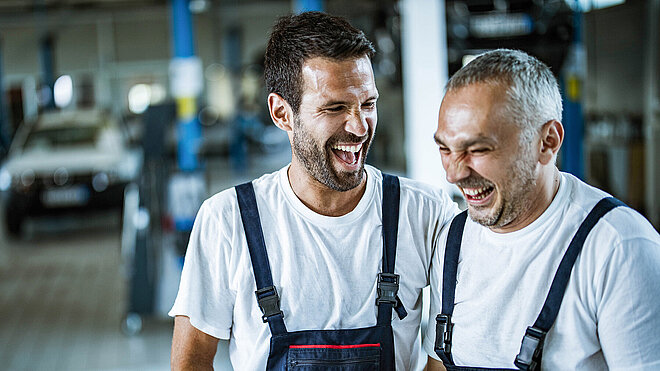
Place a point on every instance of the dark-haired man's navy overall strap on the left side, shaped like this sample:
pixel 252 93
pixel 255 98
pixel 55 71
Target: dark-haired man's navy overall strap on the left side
pixel 267 297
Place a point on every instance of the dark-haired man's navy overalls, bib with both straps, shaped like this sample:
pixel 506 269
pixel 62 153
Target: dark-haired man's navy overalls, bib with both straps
pixel 369 348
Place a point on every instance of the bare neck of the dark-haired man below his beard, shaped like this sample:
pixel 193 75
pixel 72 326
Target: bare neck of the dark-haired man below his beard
pixel 321 199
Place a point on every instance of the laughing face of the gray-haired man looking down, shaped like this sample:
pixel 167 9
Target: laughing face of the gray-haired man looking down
pixel 482 154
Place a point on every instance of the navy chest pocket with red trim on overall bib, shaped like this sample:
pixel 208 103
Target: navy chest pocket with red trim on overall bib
pixel 361 357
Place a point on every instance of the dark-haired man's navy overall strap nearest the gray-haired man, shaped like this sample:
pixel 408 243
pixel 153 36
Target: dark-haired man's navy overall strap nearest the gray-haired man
pixel 388 282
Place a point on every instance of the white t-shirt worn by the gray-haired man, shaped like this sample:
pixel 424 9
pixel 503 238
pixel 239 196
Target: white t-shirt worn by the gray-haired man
pixel 610 314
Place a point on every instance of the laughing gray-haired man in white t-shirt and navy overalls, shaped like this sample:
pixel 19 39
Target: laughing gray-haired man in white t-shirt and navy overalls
pixel 547 271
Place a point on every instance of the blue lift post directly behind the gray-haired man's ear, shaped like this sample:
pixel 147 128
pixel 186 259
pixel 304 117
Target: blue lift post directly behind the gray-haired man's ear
pixel 572 83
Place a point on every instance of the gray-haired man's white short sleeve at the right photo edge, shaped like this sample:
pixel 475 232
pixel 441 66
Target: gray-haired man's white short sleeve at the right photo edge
pixel 628 311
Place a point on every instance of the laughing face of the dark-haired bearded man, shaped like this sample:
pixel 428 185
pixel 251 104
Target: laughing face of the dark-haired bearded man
pixel 336 120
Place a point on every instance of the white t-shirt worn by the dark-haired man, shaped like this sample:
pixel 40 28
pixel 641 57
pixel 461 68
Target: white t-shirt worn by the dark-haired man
pixel 324 268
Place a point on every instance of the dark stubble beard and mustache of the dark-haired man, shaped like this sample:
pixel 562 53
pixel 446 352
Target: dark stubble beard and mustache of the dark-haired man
pixel 317 158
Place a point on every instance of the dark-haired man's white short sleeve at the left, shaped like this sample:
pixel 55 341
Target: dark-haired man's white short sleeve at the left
pixel 204 292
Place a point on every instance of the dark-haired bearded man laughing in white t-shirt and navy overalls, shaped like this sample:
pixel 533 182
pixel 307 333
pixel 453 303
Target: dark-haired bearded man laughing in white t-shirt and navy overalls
pixel 320 264
